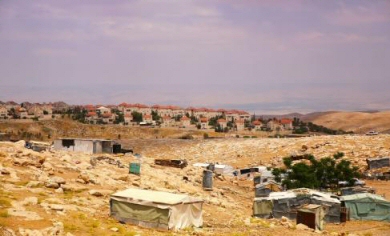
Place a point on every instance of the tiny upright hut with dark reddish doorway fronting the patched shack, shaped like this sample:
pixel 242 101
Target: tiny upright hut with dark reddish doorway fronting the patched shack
pixel 311 215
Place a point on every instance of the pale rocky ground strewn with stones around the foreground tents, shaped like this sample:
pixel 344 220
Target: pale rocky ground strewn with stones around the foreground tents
pixel 65 193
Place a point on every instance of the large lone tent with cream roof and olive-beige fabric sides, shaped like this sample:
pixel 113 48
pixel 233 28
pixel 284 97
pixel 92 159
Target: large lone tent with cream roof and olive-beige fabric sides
pixel 155 209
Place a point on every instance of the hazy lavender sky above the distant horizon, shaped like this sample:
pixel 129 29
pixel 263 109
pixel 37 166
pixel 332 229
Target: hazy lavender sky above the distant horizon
pixel 262 56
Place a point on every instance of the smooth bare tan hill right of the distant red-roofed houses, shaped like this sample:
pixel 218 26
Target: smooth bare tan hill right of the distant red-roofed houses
pixel 358 122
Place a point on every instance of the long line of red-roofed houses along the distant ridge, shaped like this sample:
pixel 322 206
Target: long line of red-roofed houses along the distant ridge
pixel 171 116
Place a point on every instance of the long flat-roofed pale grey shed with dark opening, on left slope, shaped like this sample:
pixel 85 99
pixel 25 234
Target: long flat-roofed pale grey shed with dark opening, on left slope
pixel 90 146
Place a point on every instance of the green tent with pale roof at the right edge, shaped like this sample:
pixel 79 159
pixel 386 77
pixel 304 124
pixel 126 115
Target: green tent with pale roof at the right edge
pixel 367 206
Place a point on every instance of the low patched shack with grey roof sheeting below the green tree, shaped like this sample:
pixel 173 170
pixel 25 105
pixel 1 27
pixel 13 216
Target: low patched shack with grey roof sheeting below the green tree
pixel 287 203
